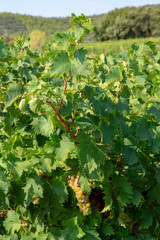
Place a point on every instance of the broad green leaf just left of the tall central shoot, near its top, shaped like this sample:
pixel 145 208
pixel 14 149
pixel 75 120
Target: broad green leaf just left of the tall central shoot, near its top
pixel 61 63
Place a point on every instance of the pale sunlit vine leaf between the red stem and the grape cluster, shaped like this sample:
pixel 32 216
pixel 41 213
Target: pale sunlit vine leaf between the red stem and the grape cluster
pixel 65 147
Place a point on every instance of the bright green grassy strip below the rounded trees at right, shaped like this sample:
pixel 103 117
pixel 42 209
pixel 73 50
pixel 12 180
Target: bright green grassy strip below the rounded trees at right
pixel 114 47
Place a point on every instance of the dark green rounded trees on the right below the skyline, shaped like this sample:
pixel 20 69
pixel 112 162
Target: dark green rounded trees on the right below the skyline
pixel 131 22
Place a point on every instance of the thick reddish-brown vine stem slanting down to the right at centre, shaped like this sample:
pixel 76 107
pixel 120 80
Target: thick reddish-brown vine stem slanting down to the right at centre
pixel 62 121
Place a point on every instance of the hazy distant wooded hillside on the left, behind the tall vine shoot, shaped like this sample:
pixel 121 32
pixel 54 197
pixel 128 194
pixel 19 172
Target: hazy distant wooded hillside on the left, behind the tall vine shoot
pixel 17 24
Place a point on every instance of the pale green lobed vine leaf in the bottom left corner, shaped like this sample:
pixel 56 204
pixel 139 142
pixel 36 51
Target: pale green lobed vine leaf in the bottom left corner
pixel 12 223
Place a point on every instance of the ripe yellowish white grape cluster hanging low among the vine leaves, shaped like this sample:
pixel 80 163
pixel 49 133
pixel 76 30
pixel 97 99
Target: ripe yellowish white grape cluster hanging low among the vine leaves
pixel 82 197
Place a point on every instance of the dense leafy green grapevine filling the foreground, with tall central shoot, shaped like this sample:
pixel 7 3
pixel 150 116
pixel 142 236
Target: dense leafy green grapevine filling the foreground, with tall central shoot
pixel 95 119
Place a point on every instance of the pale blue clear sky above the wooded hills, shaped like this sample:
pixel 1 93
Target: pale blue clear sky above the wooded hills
pixel 63 8
